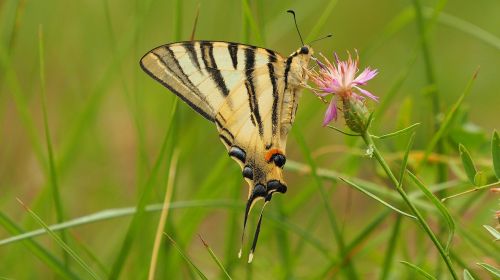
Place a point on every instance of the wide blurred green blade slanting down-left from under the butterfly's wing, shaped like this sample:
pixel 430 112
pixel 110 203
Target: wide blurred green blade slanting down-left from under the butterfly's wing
pixel 146 190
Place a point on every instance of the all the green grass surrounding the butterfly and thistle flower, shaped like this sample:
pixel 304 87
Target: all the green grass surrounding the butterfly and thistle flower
pixel 86 142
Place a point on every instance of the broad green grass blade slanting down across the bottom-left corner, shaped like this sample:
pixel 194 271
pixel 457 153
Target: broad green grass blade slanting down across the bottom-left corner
pixel 36 249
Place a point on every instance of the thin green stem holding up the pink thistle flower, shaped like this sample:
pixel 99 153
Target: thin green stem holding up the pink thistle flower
pixel 368 138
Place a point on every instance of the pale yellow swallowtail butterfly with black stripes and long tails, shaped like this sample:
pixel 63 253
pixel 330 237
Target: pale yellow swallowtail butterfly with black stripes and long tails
pixel 250 94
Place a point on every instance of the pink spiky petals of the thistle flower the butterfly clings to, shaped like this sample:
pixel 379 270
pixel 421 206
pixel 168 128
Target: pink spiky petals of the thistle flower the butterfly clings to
pixel 340 81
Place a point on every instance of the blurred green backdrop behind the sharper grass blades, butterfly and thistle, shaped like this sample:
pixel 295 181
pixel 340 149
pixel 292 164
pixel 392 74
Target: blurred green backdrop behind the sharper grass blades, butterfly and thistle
pixel 108 120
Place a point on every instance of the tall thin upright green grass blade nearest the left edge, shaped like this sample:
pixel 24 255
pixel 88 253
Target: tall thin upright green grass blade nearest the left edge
pixel 54 185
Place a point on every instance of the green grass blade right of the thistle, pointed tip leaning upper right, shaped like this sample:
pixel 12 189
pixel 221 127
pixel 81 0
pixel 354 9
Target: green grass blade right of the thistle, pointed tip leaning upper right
pixel 447 120
